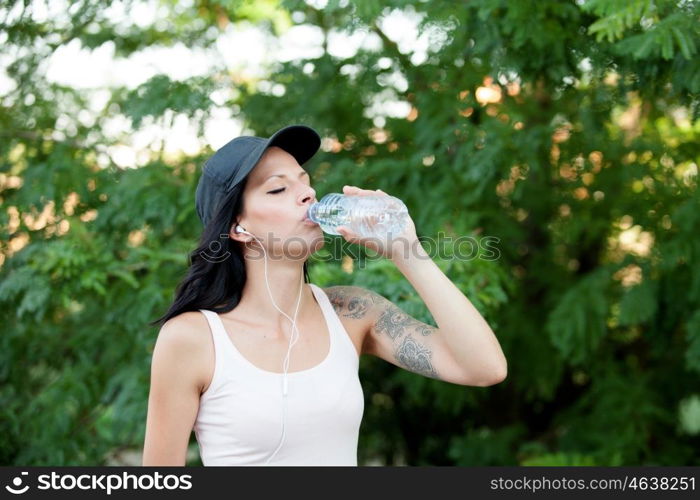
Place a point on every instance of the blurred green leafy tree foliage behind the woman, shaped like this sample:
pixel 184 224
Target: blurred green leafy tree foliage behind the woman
pixel 584 165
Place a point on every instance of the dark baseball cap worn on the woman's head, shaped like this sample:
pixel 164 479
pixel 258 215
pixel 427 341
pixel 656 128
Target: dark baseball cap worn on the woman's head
pixel 235 159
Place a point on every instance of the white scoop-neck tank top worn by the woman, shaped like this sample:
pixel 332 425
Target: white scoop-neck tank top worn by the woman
pixel 239 421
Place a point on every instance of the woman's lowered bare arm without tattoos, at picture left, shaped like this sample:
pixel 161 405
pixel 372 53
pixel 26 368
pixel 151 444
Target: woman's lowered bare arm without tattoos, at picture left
pixel 176 382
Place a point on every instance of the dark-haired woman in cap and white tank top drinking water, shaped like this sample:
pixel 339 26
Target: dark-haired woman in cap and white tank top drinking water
pixel 223 362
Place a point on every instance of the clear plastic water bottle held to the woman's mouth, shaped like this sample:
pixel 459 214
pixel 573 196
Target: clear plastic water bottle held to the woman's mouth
pixel 366 215
